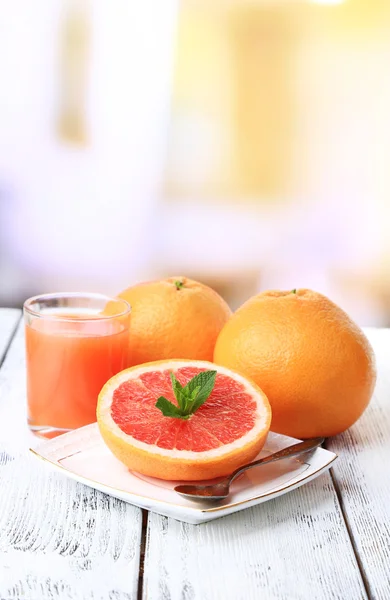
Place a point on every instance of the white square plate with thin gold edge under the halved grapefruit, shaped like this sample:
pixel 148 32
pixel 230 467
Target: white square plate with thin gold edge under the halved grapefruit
pixel 83 456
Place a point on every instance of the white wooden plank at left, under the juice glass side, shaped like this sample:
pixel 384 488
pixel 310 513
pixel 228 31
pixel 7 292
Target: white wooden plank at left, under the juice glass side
pixel 58 539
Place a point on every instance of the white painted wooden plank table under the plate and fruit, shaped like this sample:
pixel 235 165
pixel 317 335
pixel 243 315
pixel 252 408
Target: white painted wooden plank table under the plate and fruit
pixel 60 540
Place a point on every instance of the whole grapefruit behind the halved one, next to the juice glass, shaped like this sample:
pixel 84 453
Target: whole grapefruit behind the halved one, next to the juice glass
pixel 174 318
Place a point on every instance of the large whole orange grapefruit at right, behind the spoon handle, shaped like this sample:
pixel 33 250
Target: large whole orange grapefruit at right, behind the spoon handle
pixel 315 365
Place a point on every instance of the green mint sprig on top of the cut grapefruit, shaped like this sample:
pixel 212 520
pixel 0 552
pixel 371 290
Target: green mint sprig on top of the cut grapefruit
pixel 189 397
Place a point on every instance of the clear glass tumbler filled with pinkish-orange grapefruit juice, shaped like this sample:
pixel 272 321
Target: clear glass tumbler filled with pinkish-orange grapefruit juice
pixel 74 343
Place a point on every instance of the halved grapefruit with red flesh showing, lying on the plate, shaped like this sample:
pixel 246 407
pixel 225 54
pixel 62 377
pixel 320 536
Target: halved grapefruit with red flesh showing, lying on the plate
pixel 226 431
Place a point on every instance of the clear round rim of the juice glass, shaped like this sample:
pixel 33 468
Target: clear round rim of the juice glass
pixel 93 295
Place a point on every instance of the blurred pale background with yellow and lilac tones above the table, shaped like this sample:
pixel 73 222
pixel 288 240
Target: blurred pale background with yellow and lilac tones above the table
pixel 245 143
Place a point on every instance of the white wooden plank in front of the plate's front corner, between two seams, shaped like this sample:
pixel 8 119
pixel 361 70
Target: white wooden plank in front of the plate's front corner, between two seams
pixel 294 547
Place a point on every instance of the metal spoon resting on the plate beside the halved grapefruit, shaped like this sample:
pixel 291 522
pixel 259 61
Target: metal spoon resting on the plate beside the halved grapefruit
pixel 220 490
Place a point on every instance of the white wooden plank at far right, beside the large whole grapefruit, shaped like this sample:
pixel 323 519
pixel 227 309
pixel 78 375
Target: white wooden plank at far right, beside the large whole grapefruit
pixel 362 476
